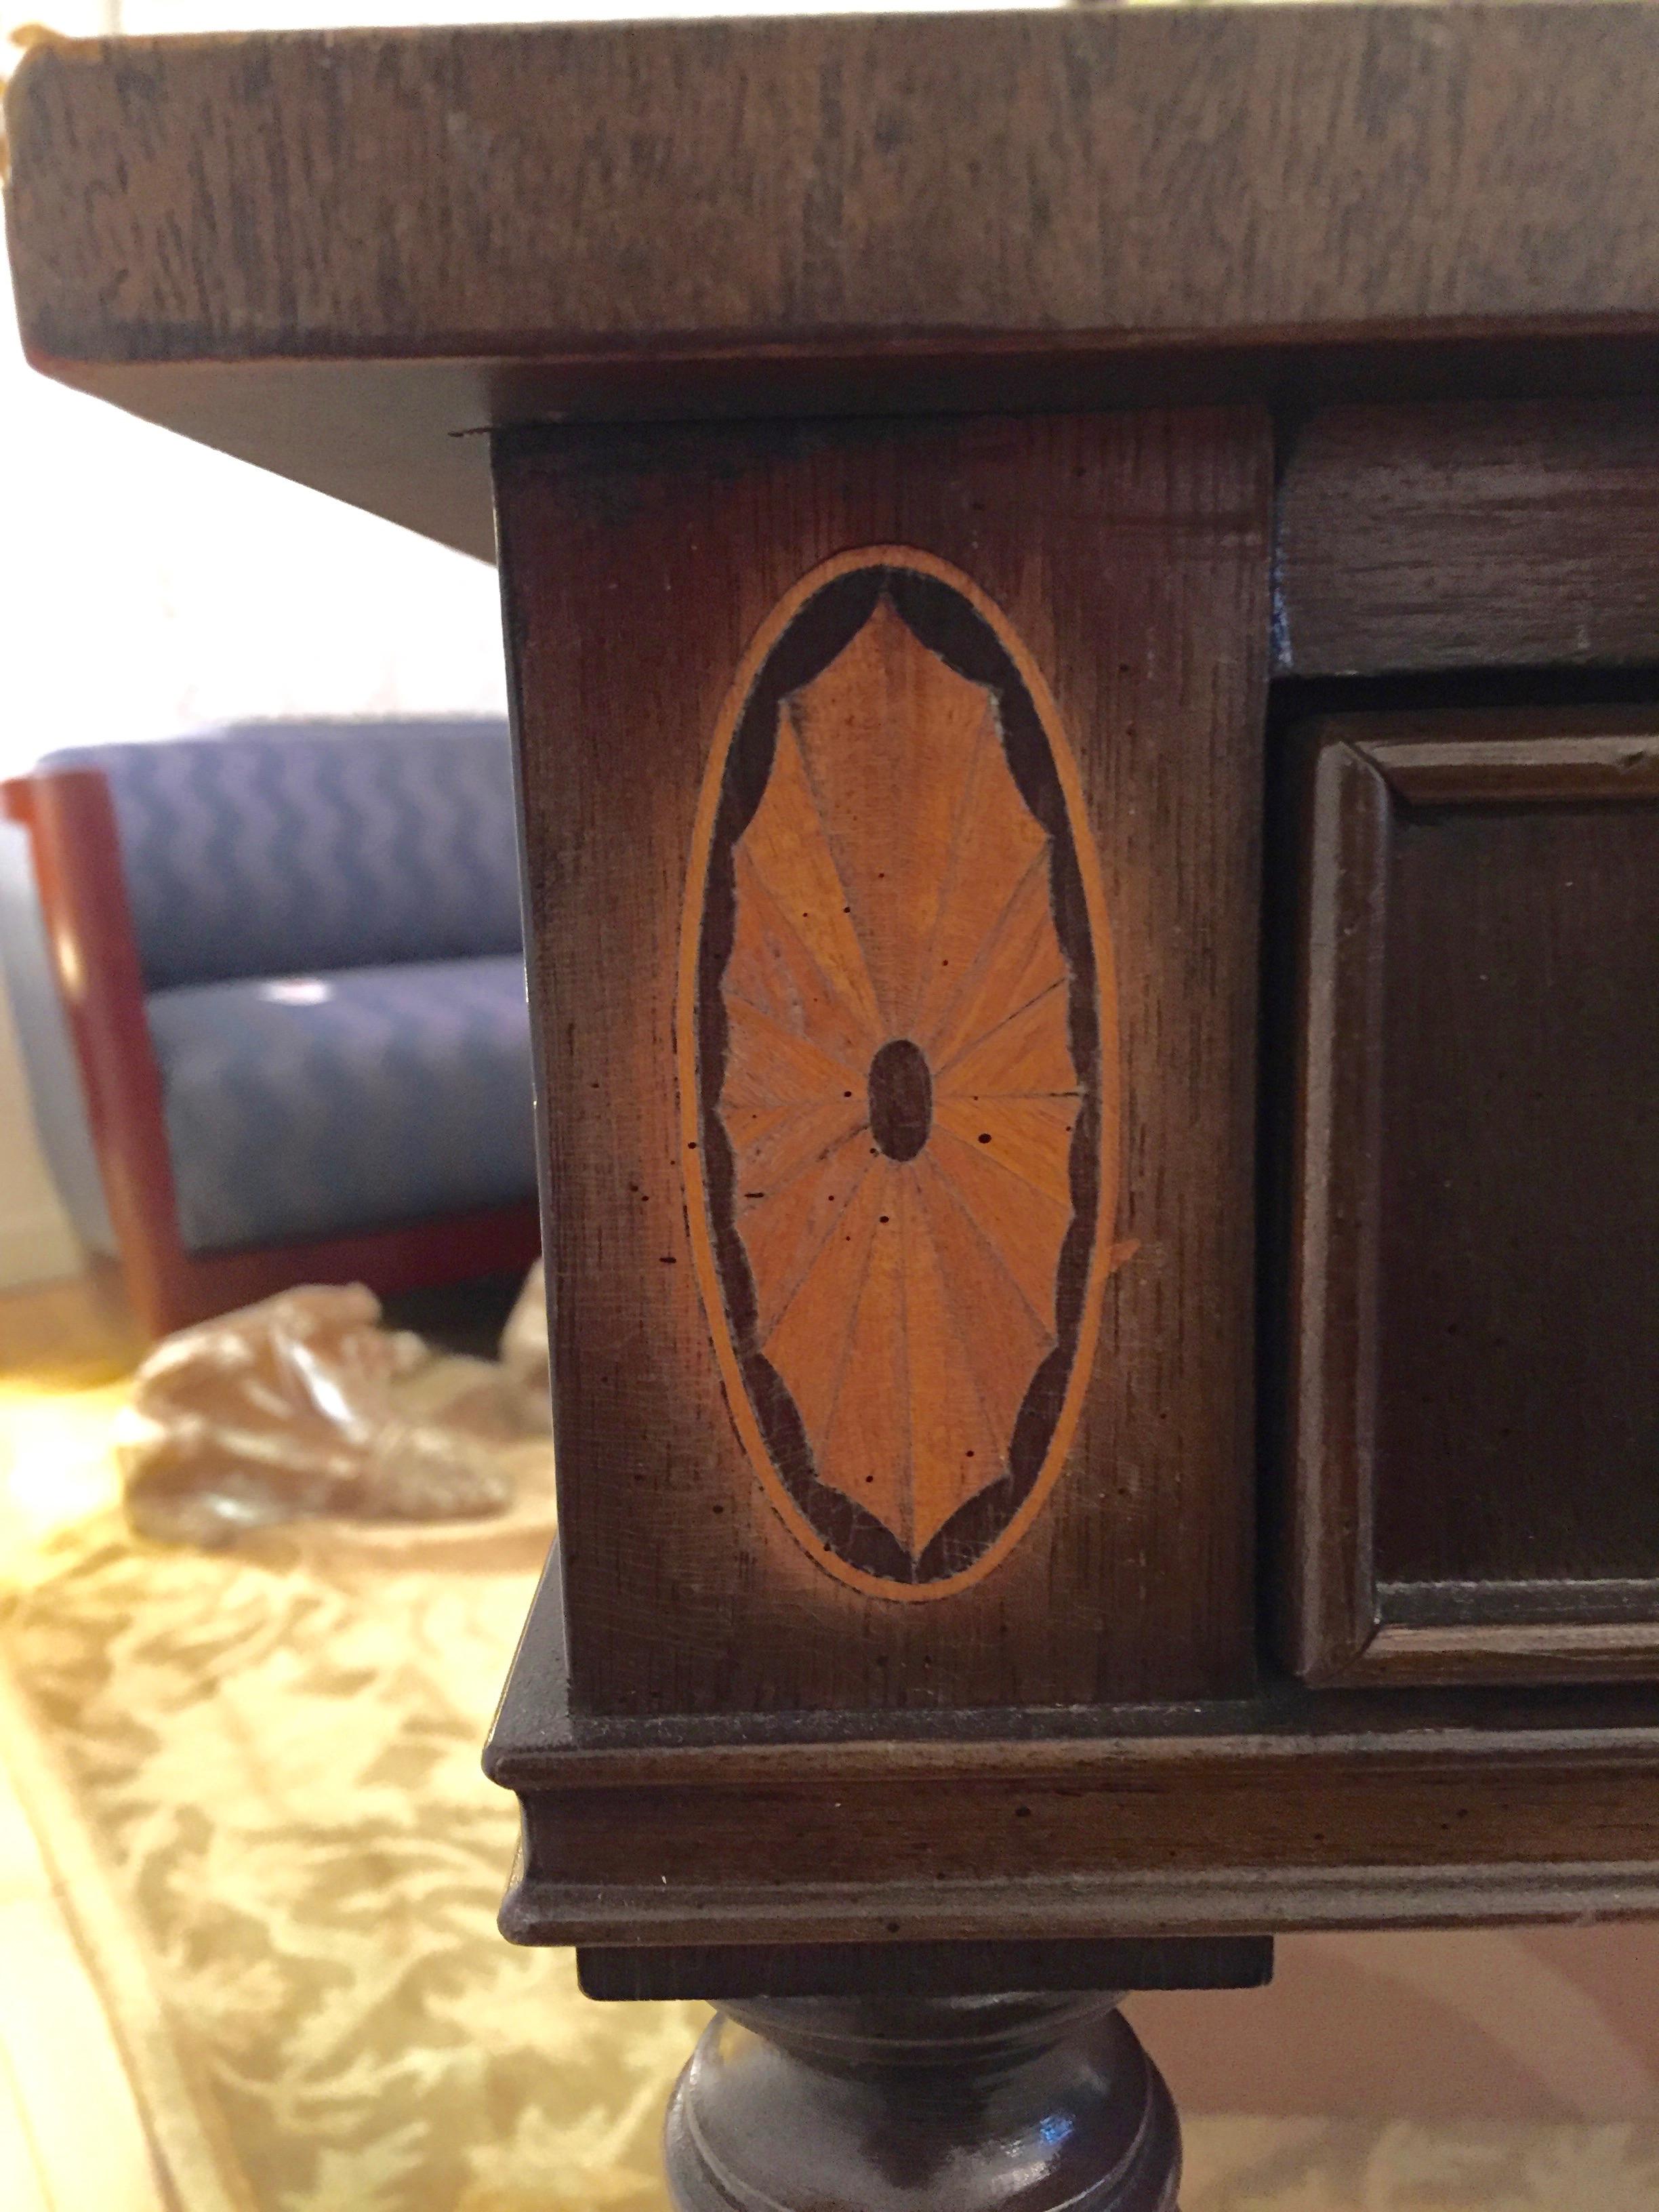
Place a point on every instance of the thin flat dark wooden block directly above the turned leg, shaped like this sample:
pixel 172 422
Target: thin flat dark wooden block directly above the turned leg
pixel 924 1970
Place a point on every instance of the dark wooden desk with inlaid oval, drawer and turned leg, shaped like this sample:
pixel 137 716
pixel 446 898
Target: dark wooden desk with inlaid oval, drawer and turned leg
pixel 1149 1439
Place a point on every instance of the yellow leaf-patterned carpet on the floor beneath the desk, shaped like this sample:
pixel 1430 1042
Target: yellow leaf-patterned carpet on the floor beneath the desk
pixel 258 1784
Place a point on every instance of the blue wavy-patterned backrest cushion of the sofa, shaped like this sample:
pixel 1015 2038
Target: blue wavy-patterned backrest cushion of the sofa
pixel 291 846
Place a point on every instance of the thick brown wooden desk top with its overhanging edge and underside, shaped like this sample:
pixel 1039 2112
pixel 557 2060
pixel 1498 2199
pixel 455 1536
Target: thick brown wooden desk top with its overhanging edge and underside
pixel 342 253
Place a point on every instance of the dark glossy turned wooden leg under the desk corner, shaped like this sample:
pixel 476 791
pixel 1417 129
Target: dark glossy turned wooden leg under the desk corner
pixel 924 2105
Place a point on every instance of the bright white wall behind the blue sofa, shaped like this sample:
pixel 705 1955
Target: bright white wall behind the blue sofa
pixel 149 585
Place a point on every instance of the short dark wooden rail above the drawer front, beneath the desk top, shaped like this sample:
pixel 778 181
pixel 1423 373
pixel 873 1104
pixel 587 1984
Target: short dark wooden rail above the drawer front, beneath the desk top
pixel 1470 536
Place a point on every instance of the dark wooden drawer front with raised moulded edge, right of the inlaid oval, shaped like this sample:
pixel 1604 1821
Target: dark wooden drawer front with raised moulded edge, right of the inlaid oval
pixel 1474 1406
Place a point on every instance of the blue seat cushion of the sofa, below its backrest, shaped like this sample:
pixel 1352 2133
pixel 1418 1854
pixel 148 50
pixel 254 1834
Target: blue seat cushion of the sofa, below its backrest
pixel 313 1105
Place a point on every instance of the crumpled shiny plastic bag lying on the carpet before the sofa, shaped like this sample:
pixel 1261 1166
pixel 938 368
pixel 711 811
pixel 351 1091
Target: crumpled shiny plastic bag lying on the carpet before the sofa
pixel 284 1410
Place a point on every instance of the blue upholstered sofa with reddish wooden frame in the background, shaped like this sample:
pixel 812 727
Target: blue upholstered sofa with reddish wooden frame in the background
pixel 293 974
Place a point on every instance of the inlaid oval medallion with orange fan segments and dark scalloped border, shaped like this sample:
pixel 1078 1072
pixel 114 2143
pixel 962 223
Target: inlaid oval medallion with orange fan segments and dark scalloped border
pixel 899 1072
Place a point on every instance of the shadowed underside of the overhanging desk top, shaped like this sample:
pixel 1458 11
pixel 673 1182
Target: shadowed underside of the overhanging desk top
pixel 410 439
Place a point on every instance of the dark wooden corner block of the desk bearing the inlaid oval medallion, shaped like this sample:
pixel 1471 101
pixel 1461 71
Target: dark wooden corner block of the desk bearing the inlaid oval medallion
pixel 1030 605
